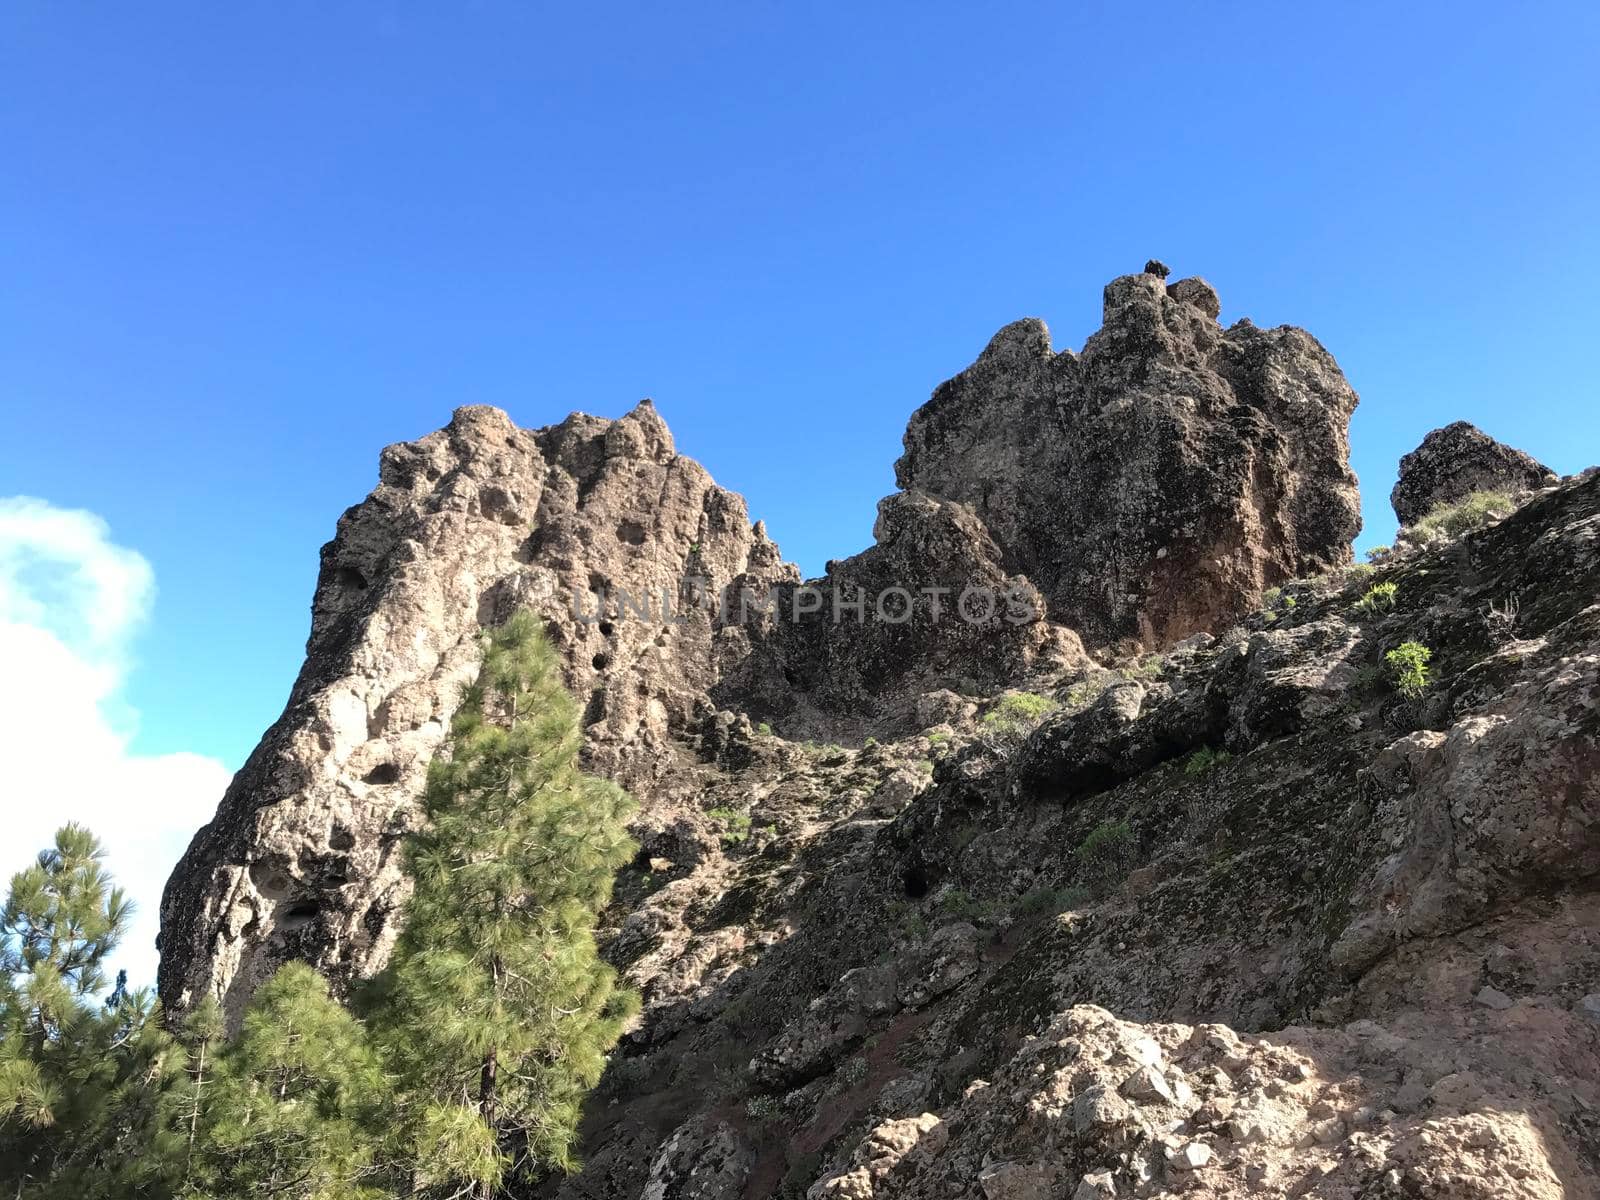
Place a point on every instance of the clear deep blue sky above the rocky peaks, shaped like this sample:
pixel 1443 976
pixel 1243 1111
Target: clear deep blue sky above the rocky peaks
pixel 242 247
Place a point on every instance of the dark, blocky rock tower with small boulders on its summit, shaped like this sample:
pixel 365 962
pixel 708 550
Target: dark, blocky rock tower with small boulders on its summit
pixel 1156 484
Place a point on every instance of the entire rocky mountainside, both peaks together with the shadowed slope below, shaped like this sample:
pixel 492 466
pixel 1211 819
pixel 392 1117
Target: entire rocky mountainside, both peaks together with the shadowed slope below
pixel 1162 890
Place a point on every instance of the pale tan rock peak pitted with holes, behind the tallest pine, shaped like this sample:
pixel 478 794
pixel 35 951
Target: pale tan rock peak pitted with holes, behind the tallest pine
pixel 465 527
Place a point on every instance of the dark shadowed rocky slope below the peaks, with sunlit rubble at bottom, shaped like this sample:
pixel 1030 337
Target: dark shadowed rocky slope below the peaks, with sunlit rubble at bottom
pixel 1351 959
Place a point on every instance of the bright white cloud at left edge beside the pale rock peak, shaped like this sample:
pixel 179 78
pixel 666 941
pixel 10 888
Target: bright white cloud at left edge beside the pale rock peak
pixel 71 602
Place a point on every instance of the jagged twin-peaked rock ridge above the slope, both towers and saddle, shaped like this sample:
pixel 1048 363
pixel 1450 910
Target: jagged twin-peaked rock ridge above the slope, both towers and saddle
pixel 641 567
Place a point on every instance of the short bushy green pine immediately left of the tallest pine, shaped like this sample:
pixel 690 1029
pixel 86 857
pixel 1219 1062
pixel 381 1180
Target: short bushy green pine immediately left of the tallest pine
pixel 297 1105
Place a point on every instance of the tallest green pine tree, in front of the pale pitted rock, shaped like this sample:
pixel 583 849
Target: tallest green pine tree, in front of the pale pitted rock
pixel 497 1009
